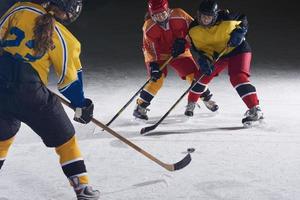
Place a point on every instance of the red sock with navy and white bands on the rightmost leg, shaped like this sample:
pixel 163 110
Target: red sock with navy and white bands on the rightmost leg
pixel 245 89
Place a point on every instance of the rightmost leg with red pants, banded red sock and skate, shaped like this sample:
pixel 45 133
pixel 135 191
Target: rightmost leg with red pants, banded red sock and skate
pixel 239 72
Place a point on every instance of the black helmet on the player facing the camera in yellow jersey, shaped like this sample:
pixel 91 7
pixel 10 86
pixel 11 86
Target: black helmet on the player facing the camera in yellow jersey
pixel 208 8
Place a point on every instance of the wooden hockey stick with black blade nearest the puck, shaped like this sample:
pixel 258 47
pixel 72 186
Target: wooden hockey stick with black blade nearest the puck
pixel 170 167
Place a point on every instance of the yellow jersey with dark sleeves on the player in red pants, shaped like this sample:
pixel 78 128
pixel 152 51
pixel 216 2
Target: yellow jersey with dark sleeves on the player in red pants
pixel 213 40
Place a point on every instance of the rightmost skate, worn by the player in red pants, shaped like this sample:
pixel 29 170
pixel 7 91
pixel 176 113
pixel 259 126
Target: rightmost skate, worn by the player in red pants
pixel 253 117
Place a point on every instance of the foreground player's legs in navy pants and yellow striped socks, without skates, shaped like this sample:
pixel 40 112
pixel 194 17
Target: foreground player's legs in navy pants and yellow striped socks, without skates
pixel 24 98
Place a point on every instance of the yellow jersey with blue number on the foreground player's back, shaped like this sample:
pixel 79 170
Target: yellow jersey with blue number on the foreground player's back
pixel 16 33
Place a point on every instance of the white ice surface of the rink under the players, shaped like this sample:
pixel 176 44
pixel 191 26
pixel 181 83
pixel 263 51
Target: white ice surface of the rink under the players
pixel 230 162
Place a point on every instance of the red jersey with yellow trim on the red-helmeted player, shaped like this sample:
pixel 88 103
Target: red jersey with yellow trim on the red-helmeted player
pixel 158 40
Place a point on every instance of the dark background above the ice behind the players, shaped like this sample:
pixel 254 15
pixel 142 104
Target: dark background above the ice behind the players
pixel 110 31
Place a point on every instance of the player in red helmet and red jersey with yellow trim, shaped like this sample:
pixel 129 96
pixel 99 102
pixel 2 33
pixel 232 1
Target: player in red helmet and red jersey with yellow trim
pixel 164 35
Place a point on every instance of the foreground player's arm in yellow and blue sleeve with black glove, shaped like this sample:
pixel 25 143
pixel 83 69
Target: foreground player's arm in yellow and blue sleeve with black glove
pixel 67 66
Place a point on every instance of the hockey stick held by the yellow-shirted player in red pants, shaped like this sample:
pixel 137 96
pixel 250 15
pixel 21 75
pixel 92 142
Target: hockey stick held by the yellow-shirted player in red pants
pixel 150 128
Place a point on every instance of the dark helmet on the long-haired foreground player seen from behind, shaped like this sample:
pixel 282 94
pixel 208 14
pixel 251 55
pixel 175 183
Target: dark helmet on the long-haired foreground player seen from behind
pixel 72 8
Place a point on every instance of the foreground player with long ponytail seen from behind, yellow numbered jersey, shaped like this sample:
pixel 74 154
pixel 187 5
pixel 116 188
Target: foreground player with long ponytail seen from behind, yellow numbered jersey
pixel 32 39
